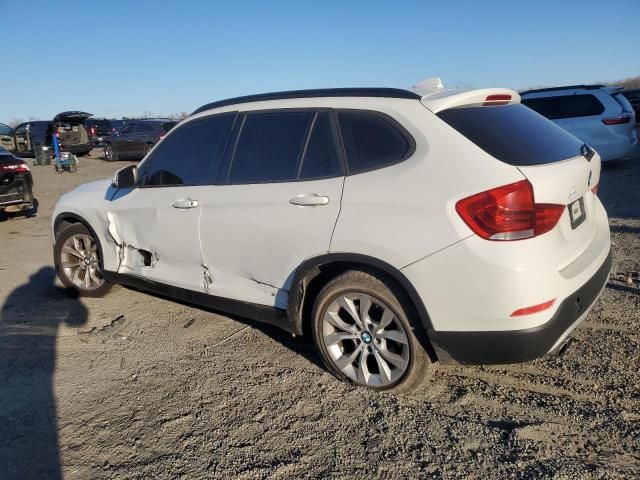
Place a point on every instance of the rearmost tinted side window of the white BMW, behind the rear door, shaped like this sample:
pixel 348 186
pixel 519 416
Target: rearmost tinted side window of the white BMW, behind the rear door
pixel 372 140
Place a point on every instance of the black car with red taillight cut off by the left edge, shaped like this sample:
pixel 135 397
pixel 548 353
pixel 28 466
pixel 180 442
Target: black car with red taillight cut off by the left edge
pixel 16 184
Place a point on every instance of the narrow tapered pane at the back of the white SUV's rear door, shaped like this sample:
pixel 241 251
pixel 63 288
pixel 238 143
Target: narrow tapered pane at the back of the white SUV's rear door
pixel 321 157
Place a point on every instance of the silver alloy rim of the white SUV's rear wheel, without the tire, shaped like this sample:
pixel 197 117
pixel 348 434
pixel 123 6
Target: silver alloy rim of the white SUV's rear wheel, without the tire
pixel 365 340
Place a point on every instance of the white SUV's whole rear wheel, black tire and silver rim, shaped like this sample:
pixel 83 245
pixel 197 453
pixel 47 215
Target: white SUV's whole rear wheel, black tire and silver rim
pixel 390 364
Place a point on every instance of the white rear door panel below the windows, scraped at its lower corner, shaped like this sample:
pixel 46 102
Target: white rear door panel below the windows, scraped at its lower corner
pixel 253 237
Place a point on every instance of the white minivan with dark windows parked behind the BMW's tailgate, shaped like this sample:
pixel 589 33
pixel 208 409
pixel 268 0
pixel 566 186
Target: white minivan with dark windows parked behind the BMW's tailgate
pixel 599 115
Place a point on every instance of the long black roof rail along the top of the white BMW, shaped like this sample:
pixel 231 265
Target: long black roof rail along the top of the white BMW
pixel 321 92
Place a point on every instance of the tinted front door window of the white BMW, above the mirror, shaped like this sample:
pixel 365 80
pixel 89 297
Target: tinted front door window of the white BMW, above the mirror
pixel 192 154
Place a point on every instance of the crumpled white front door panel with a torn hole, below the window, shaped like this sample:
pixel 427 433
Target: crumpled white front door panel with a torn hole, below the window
pixel 157 240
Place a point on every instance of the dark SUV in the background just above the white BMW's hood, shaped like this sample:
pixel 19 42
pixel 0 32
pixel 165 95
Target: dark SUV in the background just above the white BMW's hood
pixel 135 139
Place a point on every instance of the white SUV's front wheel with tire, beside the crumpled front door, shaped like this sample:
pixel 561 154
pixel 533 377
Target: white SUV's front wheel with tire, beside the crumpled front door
pixel 76 242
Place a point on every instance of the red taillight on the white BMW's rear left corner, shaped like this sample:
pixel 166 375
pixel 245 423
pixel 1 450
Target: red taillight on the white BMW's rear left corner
pixel 508 213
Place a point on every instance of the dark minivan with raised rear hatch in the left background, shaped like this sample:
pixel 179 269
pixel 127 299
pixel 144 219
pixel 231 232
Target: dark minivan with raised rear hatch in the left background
pixel 68 127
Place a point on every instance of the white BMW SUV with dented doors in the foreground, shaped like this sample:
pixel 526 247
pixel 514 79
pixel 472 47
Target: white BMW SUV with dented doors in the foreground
pixel 395 229
